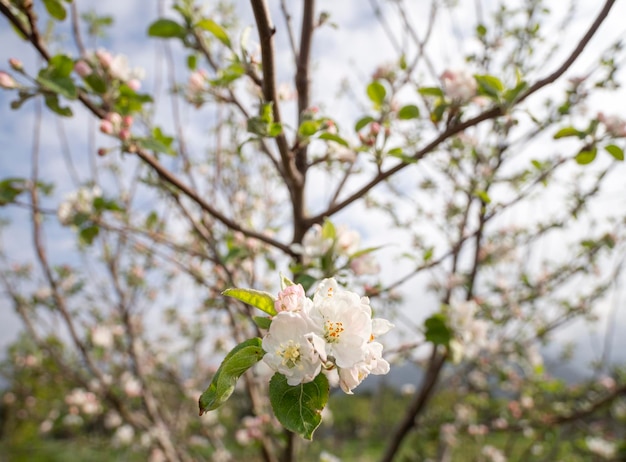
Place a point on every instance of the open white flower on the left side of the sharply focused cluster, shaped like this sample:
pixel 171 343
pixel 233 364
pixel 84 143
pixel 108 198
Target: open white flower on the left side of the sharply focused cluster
pixel 288 349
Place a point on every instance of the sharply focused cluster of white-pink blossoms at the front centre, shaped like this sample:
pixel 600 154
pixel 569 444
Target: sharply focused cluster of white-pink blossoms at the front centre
pixel 333 333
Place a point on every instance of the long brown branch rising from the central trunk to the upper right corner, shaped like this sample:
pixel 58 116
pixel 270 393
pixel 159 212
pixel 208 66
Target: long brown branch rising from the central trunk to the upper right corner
pixel 460 127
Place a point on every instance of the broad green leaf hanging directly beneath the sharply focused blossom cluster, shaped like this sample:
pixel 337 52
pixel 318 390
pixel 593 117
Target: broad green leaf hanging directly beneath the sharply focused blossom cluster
pixel 299 408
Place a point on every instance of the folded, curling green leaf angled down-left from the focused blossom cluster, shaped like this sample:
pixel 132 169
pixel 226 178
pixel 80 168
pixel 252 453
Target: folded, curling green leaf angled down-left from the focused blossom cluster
pixel 239 360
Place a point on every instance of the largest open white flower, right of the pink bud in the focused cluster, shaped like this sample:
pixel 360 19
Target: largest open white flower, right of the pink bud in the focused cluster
pixel 343 320
